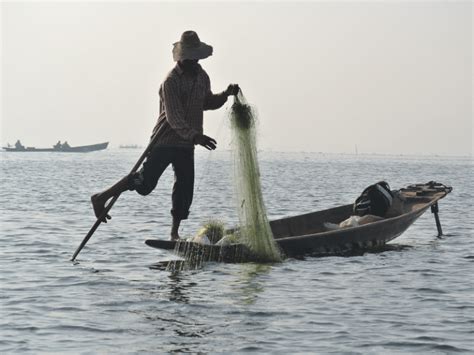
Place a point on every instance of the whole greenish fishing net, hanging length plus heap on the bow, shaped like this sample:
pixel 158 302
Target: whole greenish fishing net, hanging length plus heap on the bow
pixel 253 239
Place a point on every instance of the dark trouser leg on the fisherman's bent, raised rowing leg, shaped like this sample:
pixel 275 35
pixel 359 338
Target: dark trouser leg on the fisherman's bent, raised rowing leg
pixel 144 181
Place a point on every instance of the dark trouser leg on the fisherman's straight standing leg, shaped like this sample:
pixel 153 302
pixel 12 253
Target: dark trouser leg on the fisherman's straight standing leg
pixel 182 197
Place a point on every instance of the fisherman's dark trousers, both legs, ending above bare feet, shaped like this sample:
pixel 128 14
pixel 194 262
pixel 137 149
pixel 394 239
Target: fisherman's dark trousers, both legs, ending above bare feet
pixel 182 159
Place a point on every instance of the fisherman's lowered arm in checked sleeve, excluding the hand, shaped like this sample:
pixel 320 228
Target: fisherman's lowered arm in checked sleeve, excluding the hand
pixel 175 112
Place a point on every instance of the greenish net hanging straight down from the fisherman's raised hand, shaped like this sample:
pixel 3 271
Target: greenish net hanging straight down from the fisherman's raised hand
pixel 254 229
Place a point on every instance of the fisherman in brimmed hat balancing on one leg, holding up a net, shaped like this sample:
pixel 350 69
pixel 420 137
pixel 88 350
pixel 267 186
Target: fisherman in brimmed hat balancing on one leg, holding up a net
pixel 184 95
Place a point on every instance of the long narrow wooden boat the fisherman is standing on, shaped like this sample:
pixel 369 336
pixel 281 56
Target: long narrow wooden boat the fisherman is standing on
pixel 307 235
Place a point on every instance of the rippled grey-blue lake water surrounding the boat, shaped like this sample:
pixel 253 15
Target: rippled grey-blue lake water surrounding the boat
pixel 417 296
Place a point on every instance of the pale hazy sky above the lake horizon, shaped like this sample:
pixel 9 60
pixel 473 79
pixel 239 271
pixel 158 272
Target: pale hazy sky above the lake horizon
pixel 389 77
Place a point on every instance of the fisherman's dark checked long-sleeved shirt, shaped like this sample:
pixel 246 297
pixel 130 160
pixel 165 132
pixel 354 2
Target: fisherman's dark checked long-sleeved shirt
pixel 183 98
